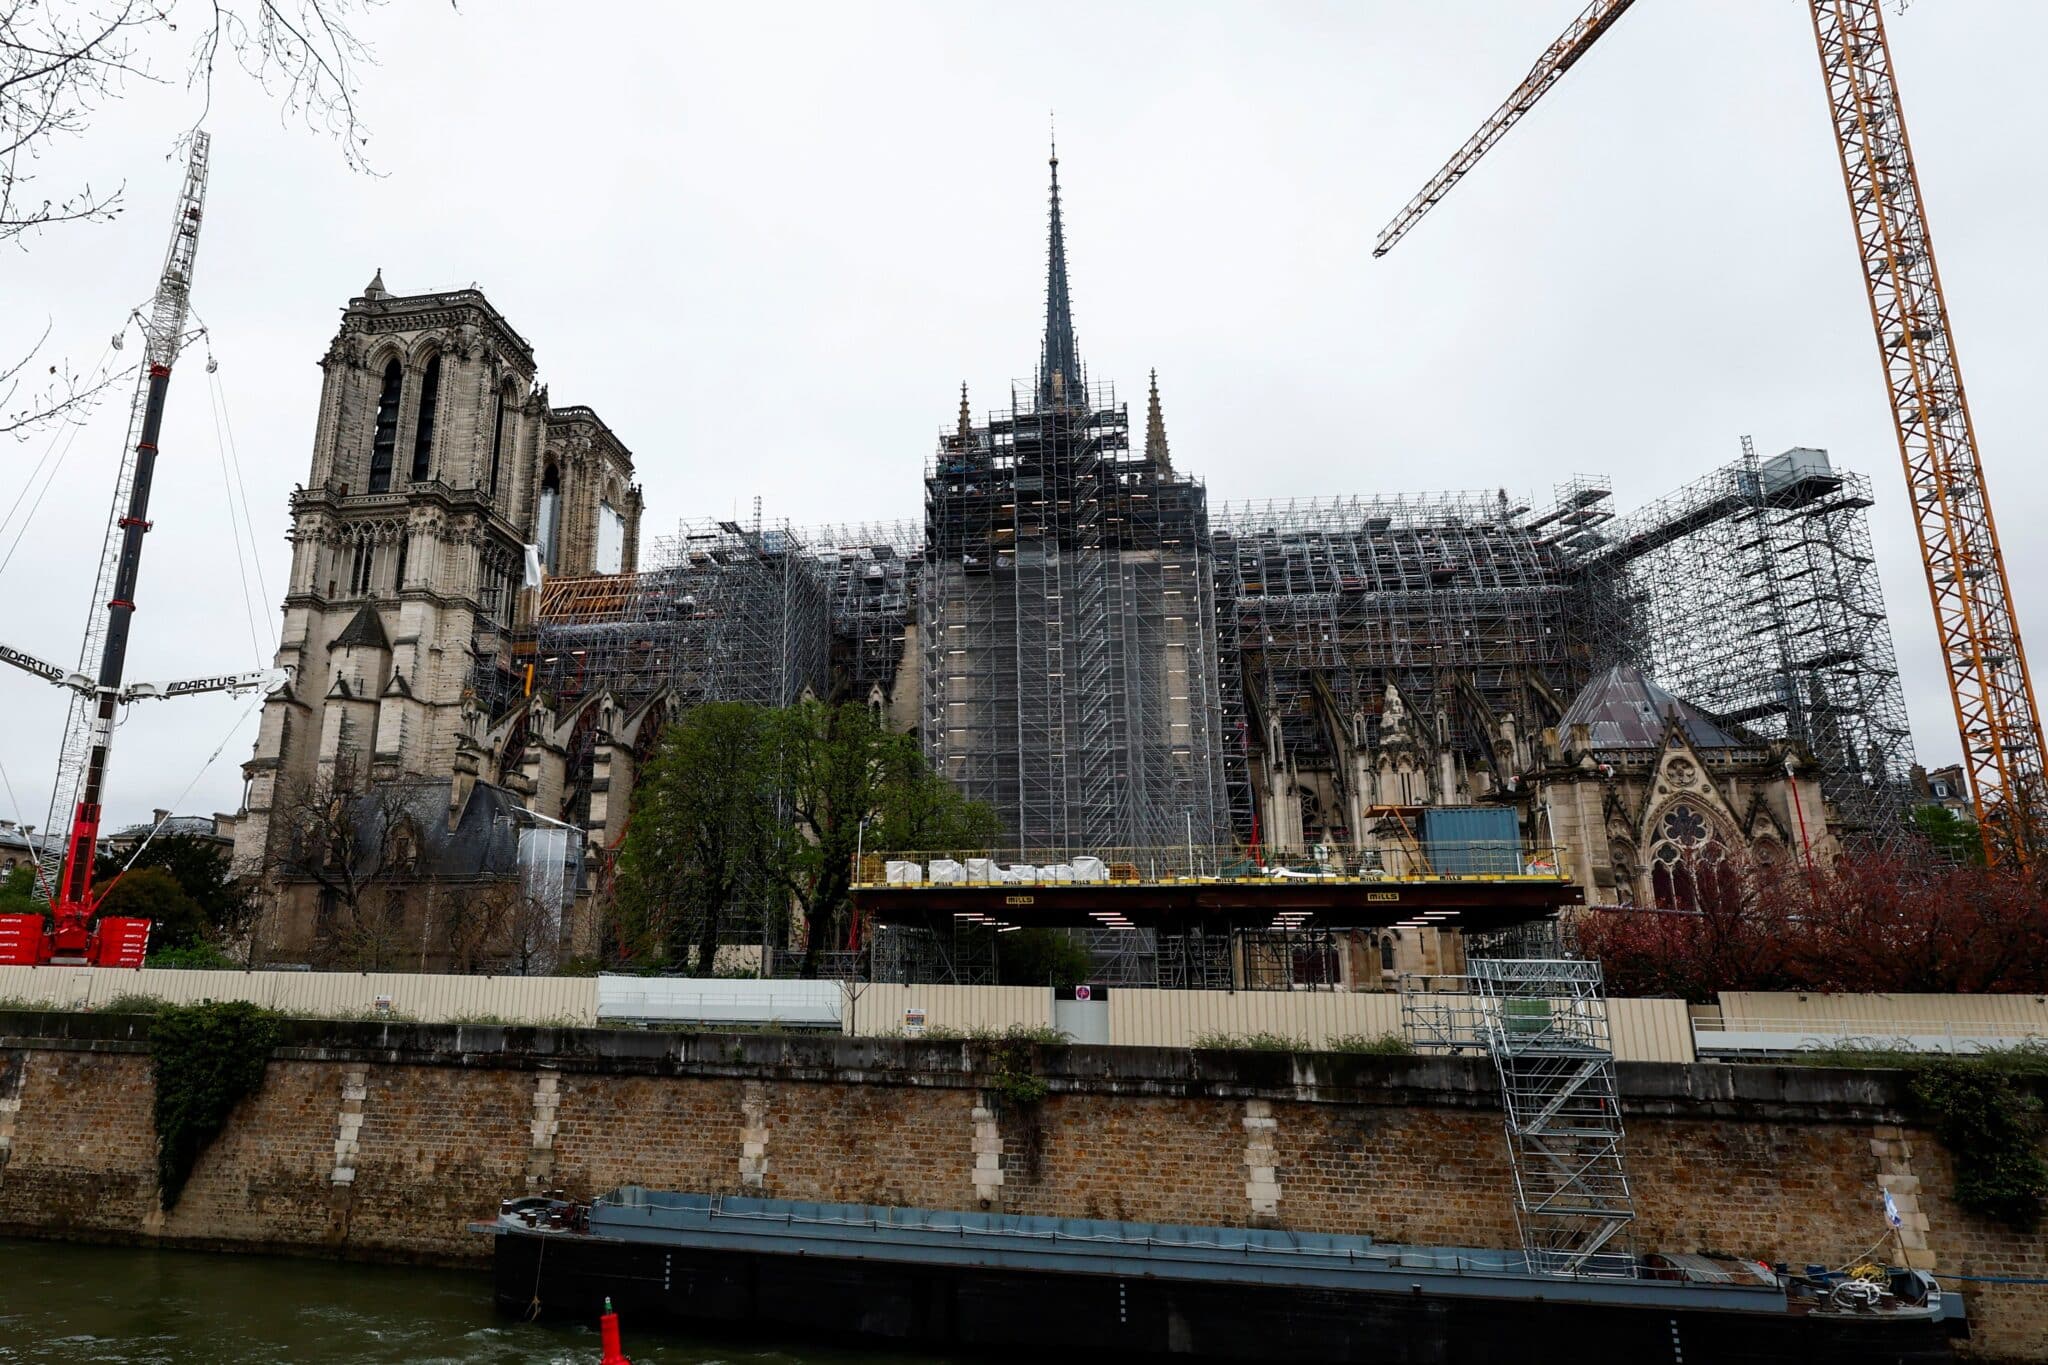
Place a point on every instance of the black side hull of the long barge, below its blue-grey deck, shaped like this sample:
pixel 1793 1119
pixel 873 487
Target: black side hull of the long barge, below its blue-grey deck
pixel 1037 1313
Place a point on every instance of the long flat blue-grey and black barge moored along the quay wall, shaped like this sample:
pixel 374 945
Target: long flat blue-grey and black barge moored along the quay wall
pixel 1023 1286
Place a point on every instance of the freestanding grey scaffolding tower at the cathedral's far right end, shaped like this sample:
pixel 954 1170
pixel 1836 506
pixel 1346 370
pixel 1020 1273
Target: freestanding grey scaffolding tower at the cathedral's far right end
pixel 1758 601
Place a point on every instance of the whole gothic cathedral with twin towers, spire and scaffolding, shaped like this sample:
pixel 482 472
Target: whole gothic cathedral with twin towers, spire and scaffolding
pixel 482 664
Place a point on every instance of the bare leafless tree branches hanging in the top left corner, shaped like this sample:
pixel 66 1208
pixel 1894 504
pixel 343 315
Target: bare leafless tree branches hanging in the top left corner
pixel 65 60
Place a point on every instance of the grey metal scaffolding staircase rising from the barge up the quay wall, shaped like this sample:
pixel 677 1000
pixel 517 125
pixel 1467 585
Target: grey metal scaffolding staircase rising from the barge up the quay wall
pixel 1545 1026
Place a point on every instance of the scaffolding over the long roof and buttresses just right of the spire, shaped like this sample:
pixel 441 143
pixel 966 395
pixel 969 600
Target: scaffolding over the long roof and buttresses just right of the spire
pixel 1455 603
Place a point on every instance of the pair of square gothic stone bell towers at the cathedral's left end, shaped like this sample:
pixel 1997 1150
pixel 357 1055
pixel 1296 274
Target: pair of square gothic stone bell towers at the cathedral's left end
pixel 437 461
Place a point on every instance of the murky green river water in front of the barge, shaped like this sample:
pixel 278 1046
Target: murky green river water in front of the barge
pixel 138 1307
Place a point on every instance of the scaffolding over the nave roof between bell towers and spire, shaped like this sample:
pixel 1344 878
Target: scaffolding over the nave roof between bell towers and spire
pixel 724 615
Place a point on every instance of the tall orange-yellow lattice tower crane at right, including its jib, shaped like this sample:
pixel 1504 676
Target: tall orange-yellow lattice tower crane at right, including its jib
pixel 1988 670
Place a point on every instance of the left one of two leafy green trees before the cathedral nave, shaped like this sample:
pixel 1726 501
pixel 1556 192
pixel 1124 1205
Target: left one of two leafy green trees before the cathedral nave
pixel 703 836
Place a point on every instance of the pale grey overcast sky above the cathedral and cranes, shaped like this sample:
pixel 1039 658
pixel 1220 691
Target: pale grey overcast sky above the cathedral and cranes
pixel 769 243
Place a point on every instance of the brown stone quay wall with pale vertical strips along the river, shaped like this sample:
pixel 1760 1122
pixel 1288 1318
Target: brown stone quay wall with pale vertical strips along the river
pixel 384 1141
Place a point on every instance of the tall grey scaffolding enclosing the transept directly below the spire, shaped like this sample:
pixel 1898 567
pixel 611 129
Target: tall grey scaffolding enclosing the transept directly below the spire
pixel 1068 629
